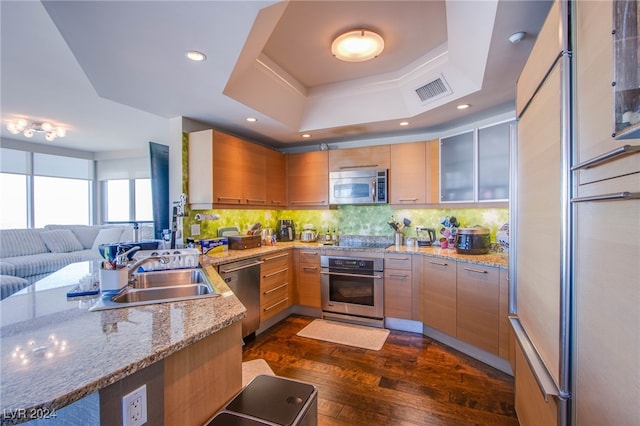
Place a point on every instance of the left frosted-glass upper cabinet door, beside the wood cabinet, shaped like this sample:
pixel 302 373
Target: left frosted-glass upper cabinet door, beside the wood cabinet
pixel 457 168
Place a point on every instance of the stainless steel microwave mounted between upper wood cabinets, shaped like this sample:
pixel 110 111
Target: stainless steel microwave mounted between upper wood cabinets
pixel 358 187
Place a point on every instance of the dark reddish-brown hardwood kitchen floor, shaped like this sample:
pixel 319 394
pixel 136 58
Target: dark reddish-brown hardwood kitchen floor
pixel 413 380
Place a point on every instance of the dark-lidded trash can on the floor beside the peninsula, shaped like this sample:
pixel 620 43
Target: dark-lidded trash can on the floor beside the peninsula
pixel 272 400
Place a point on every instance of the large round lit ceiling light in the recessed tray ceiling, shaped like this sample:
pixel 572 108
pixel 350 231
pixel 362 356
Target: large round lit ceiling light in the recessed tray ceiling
pixel 357 46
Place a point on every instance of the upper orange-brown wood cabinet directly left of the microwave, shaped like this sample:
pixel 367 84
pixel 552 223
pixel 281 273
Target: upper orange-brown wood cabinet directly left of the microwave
pixel 308 179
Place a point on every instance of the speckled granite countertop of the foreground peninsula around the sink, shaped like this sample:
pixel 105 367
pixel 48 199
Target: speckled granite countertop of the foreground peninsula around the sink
pixel 78 352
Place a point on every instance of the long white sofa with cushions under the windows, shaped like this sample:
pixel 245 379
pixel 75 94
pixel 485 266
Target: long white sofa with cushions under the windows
pixel 27 255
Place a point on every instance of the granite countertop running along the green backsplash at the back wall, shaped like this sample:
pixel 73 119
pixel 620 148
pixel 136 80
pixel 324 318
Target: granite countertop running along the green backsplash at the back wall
pixel 500 260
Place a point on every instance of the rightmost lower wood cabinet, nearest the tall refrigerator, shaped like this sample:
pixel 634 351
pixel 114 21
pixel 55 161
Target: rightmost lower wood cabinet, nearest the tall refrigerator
pixel 478 306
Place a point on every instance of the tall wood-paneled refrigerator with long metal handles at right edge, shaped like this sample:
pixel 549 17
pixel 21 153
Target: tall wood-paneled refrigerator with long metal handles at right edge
pixel 575 295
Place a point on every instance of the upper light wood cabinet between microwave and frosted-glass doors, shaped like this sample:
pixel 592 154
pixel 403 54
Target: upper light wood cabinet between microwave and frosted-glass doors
pixel 413 176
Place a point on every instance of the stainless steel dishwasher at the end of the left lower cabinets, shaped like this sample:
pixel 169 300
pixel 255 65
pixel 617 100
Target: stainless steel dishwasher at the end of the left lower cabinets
pixel 243 278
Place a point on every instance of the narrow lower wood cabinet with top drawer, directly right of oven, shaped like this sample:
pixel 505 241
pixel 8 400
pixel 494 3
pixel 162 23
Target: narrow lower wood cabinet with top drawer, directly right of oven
pixel 398 286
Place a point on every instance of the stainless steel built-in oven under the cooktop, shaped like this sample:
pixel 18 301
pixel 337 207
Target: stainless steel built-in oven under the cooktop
pixel 353 289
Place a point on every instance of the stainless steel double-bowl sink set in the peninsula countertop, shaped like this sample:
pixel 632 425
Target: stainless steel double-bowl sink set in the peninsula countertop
pixel 159 287
